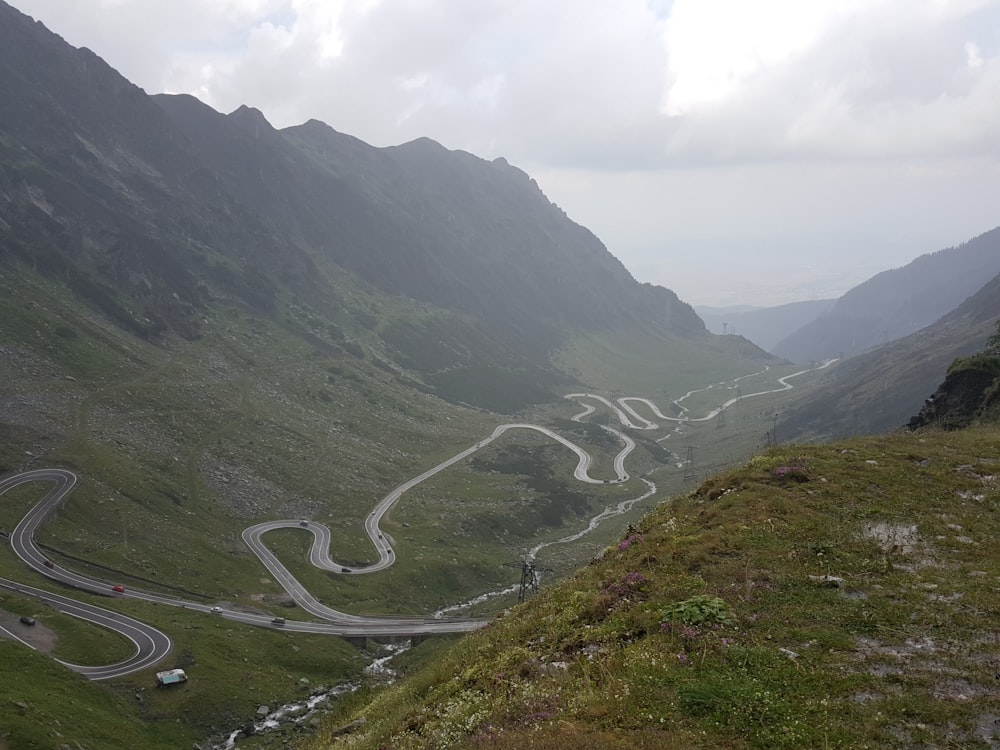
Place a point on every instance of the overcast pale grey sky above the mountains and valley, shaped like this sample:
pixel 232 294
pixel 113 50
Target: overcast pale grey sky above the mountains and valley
pixel 736 151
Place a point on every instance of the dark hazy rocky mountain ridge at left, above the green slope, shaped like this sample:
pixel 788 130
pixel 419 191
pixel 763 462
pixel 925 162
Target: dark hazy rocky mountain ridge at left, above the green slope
pixel 157 209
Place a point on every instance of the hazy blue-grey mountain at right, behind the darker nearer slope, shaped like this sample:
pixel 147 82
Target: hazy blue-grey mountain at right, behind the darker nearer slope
pixel 897 302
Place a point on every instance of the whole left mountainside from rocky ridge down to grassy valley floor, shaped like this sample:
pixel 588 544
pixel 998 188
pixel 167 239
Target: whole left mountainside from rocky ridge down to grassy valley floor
pixel 215 323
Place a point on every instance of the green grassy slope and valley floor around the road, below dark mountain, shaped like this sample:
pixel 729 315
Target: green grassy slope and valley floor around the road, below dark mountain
pixel 180 448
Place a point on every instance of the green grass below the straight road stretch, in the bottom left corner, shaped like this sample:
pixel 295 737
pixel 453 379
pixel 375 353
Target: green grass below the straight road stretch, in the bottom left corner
pixel 229 674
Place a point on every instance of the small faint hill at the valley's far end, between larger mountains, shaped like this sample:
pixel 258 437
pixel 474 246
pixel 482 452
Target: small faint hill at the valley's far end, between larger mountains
pixel 765 326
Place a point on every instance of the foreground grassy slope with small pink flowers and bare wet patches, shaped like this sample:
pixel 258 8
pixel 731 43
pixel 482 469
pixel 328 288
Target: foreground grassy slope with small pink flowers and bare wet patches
pixel 902 654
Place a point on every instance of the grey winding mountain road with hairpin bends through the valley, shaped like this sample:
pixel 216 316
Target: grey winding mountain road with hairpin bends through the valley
pixel 152 645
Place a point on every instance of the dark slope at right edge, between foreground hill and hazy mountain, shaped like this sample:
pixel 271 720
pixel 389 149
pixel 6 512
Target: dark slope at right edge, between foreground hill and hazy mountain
pixel 881 390
